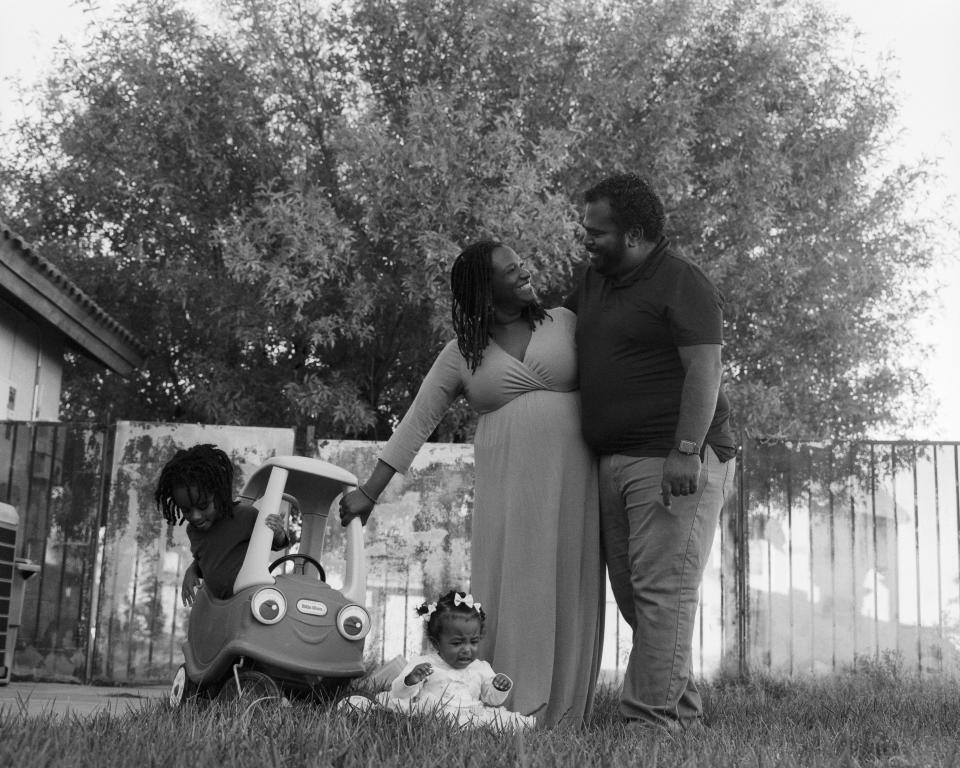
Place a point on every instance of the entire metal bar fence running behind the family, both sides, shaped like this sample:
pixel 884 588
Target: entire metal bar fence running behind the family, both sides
pixel 829 556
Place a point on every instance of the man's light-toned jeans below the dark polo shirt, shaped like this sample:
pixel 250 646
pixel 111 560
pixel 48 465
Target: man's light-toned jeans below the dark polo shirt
pixel 656 558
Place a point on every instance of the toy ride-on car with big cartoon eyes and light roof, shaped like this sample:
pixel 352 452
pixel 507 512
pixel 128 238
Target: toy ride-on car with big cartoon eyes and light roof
pixel 281 631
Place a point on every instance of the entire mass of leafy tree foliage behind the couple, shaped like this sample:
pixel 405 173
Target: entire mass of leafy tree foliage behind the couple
pixel 274 205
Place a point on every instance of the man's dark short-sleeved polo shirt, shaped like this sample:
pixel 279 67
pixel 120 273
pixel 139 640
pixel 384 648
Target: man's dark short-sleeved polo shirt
pixel 631 377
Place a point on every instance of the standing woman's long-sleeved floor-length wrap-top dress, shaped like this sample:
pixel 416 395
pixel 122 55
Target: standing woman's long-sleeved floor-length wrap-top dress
pixel 535 548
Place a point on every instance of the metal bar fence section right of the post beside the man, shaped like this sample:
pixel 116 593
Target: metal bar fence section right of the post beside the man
pixel 853 555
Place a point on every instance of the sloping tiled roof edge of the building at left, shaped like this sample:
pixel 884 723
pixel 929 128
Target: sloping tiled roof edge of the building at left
pixel 28 280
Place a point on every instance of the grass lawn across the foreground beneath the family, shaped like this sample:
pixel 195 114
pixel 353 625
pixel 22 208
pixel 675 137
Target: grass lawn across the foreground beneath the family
pixel 876 717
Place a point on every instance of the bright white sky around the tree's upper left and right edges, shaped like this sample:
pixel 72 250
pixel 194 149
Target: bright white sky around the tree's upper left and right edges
pixel 922 35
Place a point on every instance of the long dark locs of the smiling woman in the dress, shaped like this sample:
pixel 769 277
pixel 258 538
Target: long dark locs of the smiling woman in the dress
pixel 470 284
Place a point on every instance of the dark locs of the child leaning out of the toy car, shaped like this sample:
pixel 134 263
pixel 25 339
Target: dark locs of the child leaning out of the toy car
pixel 203 467
